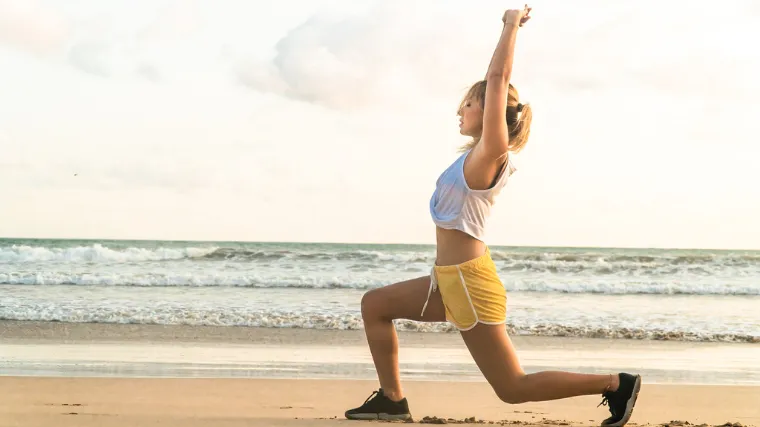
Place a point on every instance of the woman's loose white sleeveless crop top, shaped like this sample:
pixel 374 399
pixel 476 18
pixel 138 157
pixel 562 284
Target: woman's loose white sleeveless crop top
pixel 456 206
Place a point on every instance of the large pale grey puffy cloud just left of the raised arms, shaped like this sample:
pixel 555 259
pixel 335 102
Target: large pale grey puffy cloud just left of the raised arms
pixel 391 51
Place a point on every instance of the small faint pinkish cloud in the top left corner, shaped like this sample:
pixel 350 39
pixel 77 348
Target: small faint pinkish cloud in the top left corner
pixel 28 25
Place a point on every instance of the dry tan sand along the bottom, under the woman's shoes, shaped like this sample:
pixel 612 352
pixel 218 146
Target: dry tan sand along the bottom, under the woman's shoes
pixel 106 402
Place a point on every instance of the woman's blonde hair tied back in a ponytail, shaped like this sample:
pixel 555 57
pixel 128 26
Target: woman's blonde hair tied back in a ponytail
pixel 518 116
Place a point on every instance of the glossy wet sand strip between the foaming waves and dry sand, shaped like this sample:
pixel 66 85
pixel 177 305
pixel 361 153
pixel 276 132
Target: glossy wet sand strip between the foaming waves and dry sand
pixel 53 349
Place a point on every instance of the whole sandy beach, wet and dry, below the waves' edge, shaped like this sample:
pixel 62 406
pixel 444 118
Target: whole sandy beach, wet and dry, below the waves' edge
pixel 80 374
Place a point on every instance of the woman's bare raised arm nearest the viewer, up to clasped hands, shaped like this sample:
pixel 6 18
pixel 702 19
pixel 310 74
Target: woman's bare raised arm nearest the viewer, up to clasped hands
pixel 495 137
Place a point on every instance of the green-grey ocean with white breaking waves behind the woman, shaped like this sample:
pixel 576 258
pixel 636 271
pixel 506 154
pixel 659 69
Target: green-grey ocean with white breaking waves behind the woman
pixel 677 295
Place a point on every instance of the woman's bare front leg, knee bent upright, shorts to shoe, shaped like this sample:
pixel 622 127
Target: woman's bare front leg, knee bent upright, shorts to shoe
pixel 380 307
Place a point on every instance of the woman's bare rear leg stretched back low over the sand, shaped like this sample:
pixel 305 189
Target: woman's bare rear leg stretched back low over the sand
pixel 494 354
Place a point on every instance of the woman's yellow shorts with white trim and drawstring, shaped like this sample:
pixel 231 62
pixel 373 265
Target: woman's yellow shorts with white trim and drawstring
pixel 472 292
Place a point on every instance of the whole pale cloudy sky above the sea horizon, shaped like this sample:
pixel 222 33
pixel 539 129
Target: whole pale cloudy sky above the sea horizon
pixel 329 121
